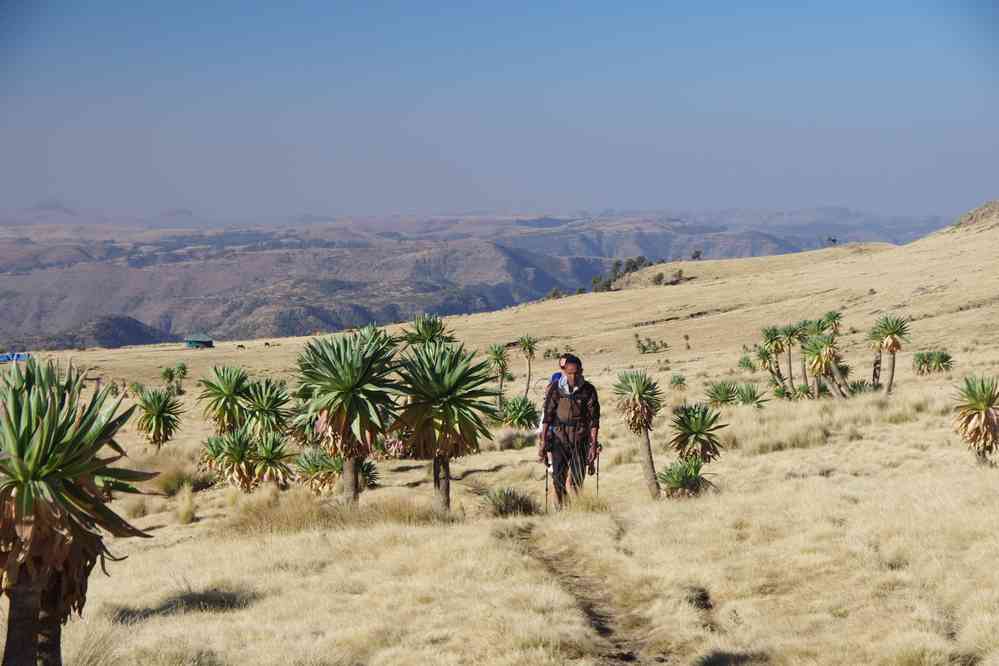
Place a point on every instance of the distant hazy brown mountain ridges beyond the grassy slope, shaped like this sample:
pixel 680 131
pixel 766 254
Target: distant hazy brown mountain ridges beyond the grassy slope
pixel 63 271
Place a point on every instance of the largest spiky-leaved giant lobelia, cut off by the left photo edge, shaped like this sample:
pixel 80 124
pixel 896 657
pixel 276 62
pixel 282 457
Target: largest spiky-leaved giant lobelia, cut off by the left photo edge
pixel 57 452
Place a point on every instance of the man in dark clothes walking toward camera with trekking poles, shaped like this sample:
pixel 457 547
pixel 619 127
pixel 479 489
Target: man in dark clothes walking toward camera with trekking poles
pixel 570 423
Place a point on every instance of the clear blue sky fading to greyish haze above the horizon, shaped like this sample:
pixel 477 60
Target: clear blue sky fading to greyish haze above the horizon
pixel 419 107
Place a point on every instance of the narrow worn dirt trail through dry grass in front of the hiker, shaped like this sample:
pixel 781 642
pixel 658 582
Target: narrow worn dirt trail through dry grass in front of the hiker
pixel 616 647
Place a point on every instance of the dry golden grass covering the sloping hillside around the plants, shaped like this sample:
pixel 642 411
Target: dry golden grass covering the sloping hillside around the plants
pixel 854 532
